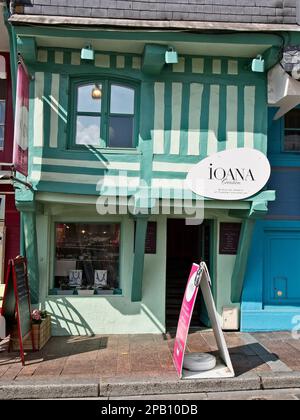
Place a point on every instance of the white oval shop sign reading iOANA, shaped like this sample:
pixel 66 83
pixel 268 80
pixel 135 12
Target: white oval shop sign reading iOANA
pixel 230 175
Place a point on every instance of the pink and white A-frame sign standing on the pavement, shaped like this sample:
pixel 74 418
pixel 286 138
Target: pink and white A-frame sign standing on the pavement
pixel 200 278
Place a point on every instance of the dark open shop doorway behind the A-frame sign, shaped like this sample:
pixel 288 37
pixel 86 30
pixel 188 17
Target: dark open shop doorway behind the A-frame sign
pixel 185 245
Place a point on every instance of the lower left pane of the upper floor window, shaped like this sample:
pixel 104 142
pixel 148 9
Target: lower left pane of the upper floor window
pixel 88 130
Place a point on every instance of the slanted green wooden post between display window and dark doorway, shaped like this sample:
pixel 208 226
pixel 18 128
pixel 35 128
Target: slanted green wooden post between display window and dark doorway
pixel 139 257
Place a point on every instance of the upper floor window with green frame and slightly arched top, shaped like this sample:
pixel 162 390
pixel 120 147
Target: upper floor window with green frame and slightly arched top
pixel 105 114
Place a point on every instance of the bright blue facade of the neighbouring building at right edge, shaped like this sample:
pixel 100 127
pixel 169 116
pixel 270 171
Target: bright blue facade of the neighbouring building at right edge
pixel 271 295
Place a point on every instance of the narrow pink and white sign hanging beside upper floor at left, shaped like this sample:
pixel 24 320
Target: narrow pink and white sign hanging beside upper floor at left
pixel 20 157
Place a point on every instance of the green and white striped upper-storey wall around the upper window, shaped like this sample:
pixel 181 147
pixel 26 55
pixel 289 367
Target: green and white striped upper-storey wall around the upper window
pixel 195 108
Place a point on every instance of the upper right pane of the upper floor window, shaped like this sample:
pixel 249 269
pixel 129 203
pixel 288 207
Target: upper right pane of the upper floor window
pixel 122 100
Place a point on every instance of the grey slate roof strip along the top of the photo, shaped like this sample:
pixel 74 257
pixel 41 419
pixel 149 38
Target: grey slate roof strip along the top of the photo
pixel 237 11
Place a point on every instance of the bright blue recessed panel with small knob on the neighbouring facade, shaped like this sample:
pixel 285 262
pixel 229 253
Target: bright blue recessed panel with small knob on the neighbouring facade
pixel 282 269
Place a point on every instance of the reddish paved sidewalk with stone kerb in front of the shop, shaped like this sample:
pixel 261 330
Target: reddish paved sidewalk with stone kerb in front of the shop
pixel 110 366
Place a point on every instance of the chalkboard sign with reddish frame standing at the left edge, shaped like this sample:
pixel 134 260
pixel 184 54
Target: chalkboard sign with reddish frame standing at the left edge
pixel 16 306
